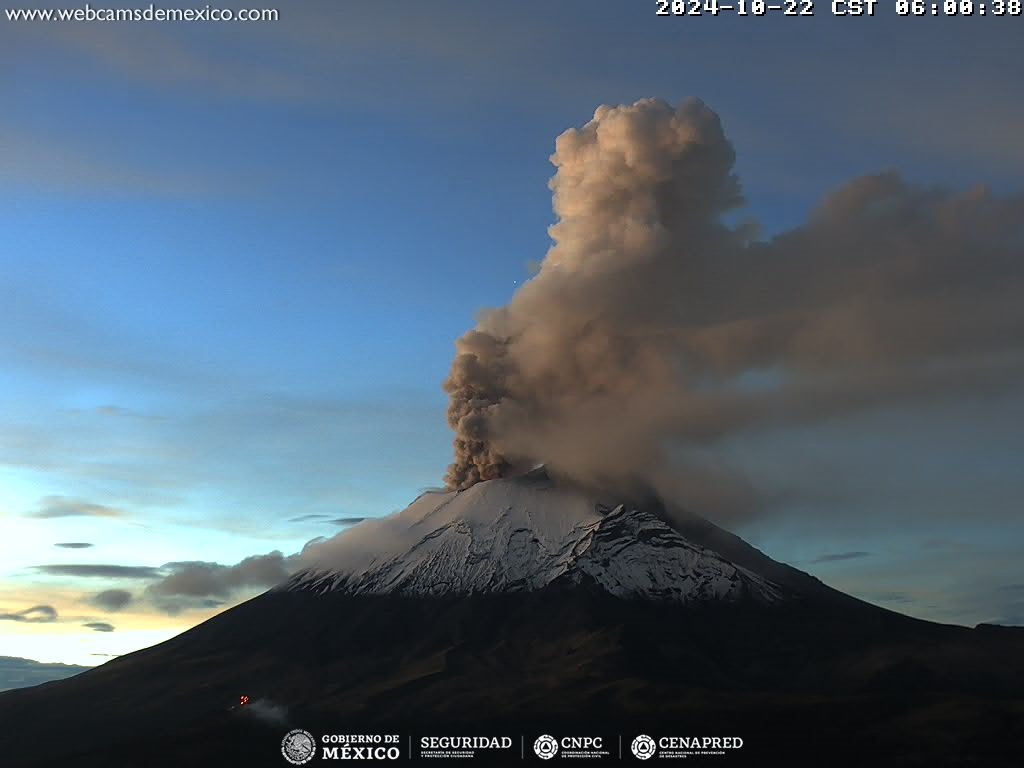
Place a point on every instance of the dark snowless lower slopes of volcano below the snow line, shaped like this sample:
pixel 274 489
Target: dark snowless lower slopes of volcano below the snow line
pixel 817 682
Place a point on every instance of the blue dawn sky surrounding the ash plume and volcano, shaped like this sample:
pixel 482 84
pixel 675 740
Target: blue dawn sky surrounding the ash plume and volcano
pixel 234 260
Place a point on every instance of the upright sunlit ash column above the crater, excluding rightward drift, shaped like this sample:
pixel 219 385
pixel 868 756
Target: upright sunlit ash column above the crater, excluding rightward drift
pixel 590 342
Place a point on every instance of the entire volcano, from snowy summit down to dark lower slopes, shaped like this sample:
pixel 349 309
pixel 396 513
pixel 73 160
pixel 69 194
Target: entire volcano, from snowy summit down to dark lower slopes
pixel 525 606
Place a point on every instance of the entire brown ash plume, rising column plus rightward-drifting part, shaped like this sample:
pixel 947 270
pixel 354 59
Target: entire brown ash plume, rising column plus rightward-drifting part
pixel 655 330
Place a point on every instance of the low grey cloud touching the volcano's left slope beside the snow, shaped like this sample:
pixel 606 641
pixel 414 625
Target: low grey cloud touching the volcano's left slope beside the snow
pixel 192 585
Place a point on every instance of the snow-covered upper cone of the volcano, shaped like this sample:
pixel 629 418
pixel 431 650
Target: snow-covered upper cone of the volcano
pixel 523 534
